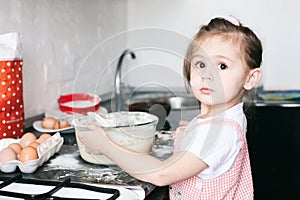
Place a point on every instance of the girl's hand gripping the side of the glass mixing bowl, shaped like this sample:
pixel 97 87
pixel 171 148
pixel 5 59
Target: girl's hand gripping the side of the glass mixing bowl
pixel 95 140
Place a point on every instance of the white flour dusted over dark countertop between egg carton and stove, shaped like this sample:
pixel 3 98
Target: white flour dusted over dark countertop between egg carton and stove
pixel 69 164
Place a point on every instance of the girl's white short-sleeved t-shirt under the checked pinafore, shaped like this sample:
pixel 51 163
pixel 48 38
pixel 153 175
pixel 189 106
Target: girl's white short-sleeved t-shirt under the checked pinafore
pixel 216 144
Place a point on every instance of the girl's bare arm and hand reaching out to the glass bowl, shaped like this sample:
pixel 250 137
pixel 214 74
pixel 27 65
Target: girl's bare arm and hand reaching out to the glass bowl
pixel 144 167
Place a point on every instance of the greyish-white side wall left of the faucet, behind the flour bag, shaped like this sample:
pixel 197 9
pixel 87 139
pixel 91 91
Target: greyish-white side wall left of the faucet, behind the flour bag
pixel 65 46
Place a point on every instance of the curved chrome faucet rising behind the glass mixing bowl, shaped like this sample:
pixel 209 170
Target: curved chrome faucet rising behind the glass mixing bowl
pixel 118 94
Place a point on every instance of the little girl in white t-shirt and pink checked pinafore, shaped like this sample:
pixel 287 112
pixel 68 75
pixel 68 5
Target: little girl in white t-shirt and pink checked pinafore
pixel 210 159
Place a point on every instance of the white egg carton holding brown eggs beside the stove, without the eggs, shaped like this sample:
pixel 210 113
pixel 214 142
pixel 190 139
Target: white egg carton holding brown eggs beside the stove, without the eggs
pixel 45 150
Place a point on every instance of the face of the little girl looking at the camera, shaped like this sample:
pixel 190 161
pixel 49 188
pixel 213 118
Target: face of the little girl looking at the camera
pixel 218 73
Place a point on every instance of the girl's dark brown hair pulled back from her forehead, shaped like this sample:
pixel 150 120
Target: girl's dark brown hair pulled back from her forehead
pixel 250 45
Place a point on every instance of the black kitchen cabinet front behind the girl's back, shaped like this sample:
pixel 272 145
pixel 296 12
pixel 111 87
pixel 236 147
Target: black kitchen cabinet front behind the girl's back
pixel 274 146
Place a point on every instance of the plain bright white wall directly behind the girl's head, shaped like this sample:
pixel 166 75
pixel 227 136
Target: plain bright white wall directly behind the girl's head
pixel 275 22
